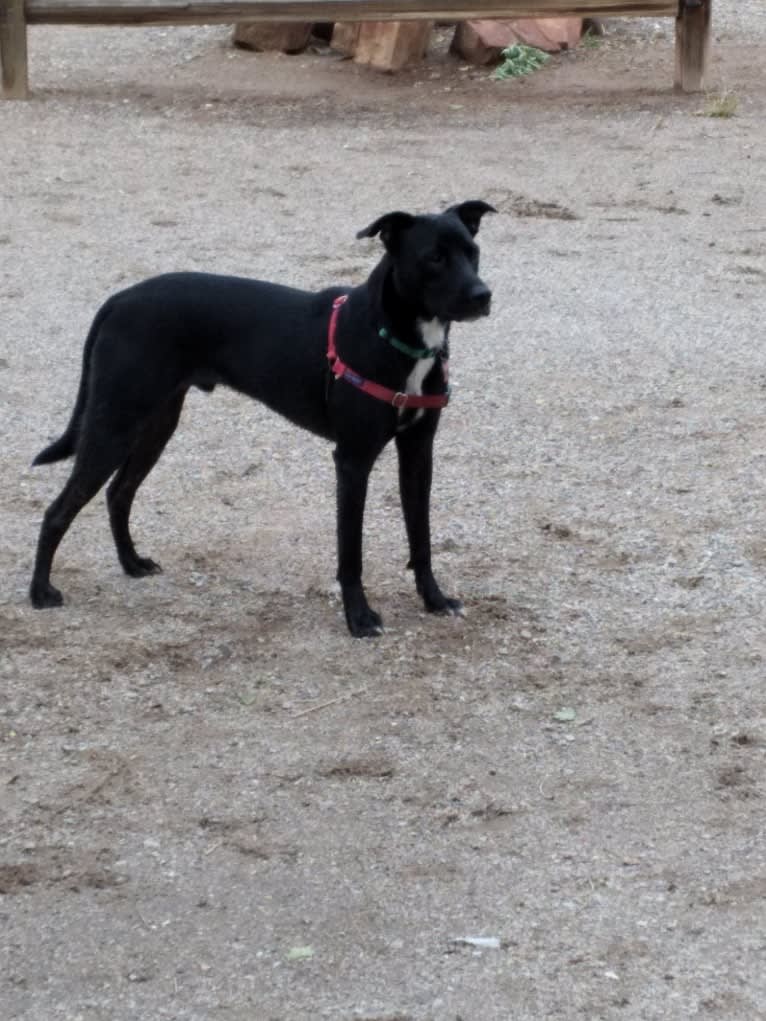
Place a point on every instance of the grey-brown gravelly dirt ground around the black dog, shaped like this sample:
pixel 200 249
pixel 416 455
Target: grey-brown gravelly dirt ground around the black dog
pixel 216 804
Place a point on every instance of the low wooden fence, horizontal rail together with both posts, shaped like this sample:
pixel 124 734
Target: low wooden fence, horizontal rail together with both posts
pixel 692 17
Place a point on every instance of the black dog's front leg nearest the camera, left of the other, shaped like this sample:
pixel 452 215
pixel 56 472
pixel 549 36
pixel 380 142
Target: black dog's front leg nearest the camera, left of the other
pixel 353 473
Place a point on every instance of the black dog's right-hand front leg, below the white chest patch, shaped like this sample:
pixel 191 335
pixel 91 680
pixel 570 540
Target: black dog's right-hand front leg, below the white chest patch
pixel 415 448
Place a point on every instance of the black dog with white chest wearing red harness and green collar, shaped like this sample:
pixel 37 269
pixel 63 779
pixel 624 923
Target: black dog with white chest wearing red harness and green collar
pixel 359 367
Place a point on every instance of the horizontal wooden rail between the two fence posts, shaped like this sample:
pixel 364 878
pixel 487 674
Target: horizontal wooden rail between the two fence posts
pixel 232 12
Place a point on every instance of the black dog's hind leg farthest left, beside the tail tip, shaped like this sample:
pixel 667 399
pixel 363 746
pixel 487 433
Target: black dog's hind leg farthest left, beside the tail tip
pixel 95 463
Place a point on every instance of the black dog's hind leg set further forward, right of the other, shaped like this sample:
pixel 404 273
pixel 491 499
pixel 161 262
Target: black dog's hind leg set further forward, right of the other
pixel 120 496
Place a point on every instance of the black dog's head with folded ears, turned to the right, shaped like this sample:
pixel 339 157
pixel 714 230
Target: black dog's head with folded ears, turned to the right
pixel 436 261
